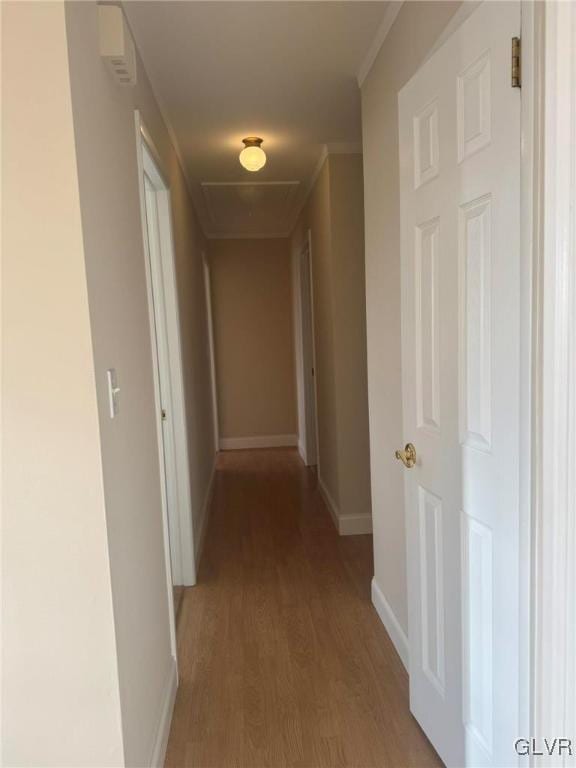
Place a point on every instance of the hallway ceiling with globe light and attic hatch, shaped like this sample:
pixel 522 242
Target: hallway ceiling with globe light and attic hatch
pixel 285 71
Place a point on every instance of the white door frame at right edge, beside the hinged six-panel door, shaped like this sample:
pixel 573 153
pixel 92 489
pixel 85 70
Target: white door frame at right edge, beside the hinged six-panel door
pixel 554 461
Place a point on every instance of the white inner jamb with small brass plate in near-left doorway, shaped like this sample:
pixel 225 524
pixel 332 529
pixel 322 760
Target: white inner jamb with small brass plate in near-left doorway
pixel 161 339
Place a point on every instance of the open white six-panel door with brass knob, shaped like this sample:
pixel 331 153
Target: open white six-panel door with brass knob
pixel 459 123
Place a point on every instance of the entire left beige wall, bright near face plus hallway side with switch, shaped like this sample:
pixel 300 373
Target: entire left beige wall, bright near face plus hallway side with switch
pixel 88 645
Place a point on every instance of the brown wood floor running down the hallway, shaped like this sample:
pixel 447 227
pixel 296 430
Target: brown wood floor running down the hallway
pixel 283 660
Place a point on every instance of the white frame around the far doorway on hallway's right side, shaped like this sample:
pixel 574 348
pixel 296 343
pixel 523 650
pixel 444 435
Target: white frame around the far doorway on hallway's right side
pixel 308 443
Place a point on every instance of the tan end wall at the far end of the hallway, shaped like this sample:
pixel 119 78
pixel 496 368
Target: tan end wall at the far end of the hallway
pixel 254 346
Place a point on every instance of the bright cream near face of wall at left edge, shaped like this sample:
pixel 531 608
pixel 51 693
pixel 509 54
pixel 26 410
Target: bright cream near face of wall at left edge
pixel 60 699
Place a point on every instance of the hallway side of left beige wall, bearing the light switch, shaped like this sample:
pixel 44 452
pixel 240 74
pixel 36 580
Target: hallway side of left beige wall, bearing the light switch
pixel 108 177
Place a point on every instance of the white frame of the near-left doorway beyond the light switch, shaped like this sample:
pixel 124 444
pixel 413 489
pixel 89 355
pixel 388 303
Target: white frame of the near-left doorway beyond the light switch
pixel 166 288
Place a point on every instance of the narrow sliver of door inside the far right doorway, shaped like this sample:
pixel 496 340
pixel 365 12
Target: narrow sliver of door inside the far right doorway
pixel 308 357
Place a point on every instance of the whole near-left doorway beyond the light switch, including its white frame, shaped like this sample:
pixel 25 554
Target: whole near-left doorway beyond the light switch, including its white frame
pixel 168 375
